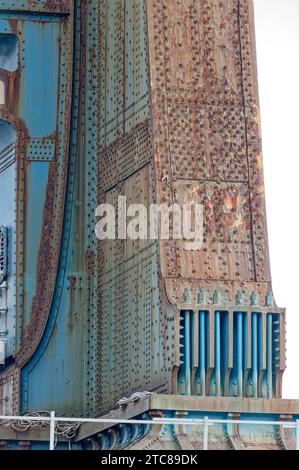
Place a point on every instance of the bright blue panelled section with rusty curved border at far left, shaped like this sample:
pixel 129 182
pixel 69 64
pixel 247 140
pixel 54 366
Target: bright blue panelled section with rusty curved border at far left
pixel 36 103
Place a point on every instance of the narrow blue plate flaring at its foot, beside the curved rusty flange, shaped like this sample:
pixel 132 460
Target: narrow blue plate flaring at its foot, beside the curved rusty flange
pixel 61 346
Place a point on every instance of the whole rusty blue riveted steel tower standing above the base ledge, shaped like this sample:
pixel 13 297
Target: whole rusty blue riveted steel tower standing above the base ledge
pixel 156 101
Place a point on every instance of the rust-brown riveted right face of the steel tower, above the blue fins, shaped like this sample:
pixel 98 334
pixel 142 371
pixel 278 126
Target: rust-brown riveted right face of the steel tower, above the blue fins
pixel 207 138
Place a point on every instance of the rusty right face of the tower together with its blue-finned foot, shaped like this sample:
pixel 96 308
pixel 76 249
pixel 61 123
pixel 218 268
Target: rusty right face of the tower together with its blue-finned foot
pixel 207 147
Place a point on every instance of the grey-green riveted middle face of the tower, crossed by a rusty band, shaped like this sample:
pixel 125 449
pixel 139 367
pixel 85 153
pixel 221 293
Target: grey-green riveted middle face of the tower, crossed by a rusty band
pixel 131 327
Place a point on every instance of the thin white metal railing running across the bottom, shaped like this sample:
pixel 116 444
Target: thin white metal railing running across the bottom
pixel 206 422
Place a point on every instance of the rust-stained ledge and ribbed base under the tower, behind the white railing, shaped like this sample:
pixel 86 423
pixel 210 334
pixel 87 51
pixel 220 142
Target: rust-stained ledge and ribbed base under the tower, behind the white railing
pixel 222 436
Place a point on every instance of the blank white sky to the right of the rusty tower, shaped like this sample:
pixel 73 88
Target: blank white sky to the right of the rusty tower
pixel 277 34
